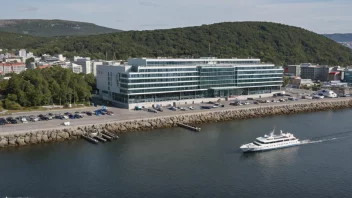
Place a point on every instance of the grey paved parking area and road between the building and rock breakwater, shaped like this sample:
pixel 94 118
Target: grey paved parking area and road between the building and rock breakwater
pixel 125 114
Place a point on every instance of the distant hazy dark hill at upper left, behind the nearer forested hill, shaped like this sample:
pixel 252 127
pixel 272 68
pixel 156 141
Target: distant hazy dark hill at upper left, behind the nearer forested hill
pixel 48 28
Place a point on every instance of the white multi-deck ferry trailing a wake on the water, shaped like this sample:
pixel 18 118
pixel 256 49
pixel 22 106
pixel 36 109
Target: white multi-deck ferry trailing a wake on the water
pixel 270 142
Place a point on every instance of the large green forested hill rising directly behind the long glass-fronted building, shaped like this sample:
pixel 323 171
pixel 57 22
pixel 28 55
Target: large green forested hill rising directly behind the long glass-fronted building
pixel 272 42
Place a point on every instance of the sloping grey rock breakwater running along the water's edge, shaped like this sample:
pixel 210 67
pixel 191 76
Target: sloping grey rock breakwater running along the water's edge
pixel 54 135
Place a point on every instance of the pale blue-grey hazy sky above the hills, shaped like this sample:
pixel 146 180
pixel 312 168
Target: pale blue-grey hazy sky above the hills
pixel 320 16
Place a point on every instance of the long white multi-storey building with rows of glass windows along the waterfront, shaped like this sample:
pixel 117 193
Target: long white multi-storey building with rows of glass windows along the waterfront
pixel 145 80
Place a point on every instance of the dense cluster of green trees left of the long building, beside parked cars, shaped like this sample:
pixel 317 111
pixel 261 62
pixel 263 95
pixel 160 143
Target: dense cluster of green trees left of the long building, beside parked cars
pixel 55 85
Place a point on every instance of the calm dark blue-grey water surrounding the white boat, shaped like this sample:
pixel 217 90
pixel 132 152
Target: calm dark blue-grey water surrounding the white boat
pixel 180 163
